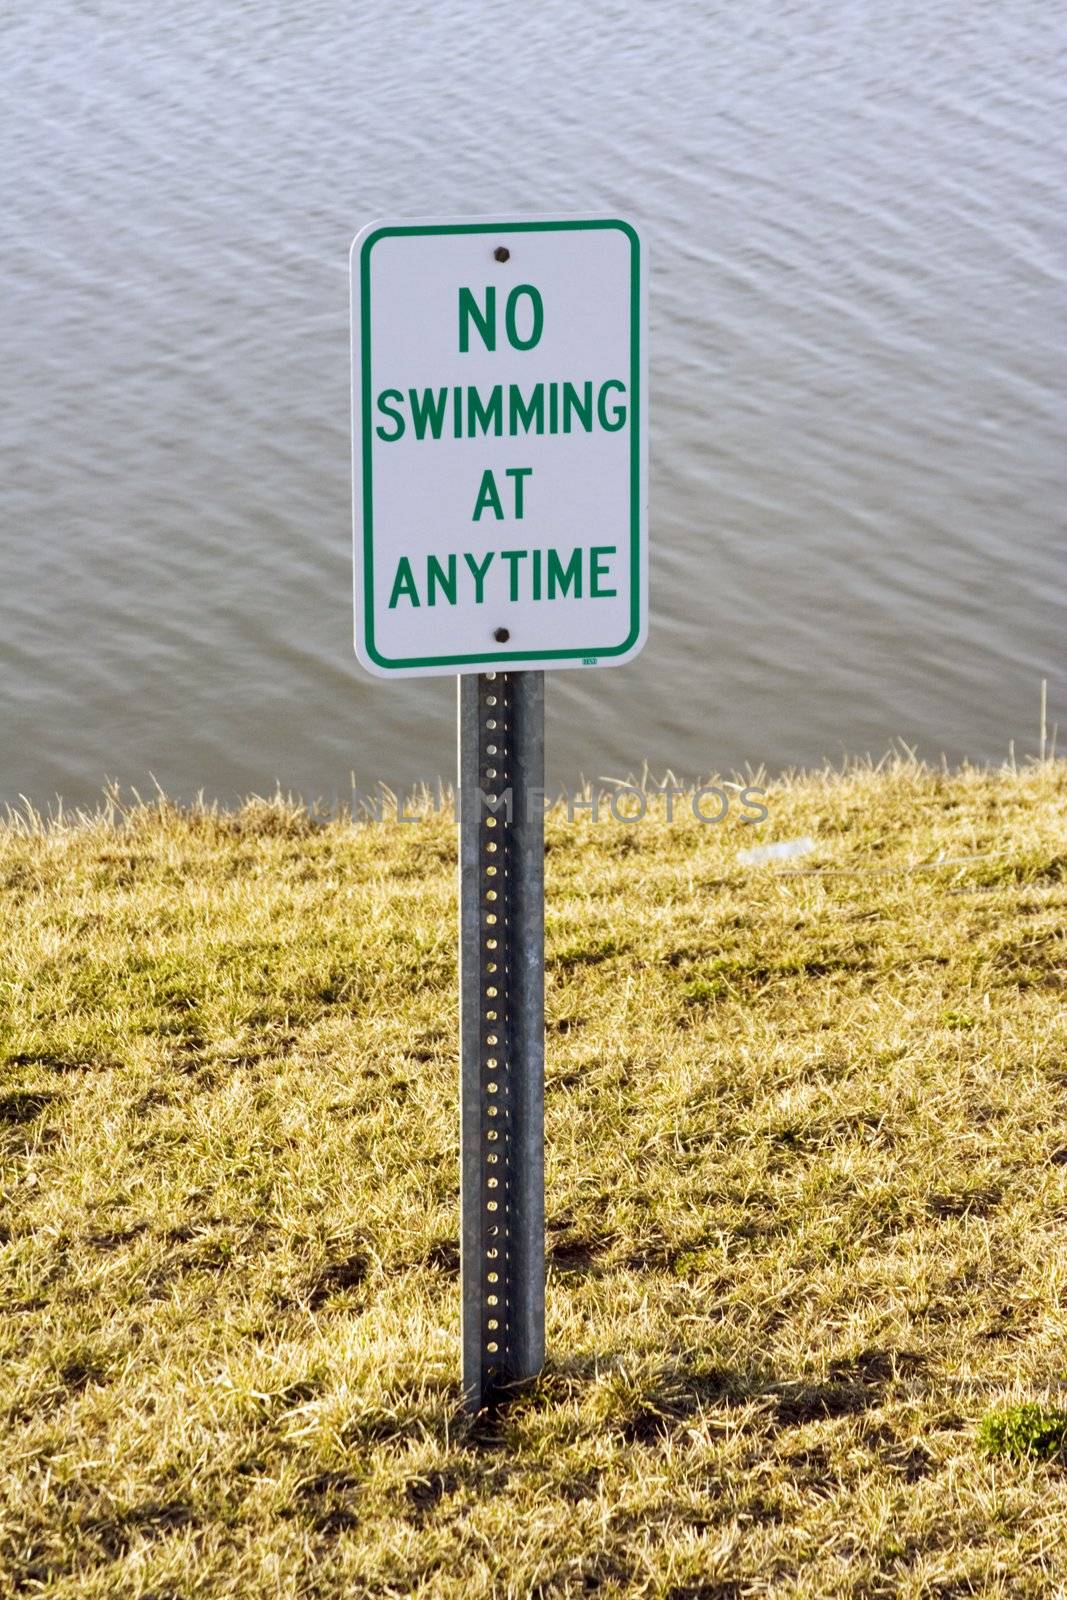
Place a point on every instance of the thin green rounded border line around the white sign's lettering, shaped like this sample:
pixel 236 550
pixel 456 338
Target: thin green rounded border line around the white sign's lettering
pixel 636 441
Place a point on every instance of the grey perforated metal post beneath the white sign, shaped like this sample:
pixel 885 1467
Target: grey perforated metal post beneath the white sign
pixel 502 1028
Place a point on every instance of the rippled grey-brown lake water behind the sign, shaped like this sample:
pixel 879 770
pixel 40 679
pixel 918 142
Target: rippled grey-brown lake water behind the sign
pixel 855 222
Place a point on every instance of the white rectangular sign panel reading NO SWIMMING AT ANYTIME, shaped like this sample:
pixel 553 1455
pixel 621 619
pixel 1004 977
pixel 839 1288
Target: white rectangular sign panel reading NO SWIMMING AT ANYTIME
pixel 500 446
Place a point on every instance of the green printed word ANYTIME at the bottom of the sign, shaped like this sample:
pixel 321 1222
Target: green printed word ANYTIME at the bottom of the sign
pixel 530 575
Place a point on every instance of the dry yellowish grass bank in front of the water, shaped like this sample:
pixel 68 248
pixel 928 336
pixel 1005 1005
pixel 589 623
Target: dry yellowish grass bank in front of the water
pixel 807 1194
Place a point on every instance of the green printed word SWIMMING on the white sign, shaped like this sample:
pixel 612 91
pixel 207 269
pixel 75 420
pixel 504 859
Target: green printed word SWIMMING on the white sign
pixel 465 410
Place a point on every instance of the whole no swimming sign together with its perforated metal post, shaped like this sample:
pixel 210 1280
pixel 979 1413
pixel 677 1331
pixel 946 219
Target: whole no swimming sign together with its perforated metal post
pixel 500 484
